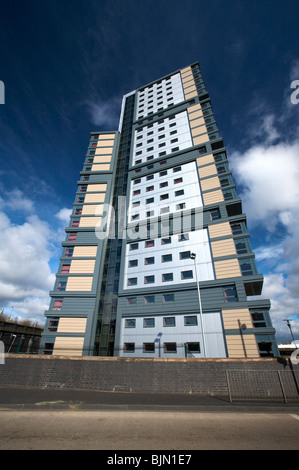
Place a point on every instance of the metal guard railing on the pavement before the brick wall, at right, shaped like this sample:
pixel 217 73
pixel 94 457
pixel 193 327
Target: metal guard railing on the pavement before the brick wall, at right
pixel 272 385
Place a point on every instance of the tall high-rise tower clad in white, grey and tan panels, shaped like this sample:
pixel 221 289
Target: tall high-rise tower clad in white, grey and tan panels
pixel 157 260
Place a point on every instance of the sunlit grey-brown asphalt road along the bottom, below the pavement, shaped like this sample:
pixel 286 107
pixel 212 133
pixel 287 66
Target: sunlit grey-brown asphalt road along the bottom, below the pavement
pixel 146 430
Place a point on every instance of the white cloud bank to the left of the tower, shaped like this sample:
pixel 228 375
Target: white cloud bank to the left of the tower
pixel 26 250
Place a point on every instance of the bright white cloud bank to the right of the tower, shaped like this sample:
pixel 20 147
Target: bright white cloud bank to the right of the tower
pixel 268 174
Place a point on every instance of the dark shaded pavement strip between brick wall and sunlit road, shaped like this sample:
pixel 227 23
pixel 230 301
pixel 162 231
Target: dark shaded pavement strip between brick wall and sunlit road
pixel 26 398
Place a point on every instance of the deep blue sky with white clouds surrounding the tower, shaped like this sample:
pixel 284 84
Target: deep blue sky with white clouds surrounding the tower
pixel 66 64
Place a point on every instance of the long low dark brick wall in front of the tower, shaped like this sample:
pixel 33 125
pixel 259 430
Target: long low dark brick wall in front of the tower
pixel 198 376
